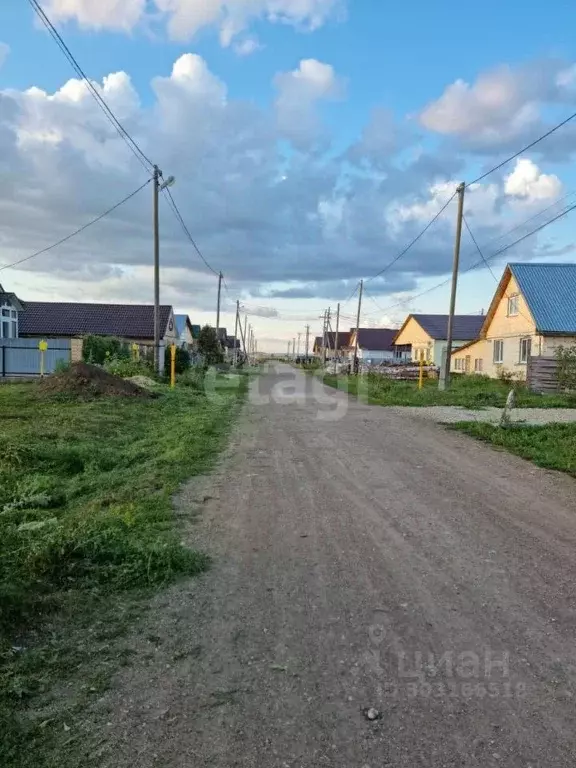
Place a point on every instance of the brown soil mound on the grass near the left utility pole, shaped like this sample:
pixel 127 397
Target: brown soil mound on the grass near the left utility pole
pixel 88 381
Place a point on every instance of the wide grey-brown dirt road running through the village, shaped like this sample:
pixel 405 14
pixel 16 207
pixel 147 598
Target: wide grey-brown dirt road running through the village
pixel 361 560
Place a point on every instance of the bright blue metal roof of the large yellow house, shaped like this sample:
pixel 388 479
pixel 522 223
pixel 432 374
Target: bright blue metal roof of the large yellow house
pixel 550 292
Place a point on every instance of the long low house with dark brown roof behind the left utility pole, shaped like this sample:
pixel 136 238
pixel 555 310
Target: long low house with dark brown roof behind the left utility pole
pixel 66 320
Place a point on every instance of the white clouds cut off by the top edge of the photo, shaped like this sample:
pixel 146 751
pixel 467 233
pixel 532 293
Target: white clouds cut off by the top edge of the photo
pixel 185 18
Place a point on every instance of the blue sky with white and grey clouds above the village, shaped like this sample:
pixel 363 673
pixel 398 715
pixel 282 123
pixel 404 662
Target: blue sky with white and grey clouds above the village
pixel 311 141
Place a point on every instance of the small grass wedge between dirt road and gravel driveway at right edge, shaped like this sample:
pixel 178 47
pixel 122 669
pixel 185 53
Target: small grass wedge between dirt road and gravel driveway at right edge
pixel 552 446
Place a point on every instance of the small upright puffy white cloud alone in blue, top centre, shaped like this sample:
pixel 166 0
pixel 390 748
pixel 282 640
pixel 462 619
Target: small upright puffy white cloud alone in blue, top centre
pixel 299 93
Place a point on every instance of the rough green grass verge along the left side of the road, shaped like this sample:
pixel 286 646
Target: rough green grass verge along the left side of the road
pixel 87 532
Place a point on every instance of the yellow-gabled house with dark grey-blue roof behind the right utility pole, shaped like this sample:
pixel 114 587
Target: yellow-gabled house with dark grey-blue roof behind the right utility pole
pixel 426 335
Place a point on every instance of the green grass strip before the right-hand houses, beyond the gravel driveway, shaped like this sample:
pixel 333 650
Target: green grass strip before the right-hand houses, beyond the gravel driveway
pixel 466 391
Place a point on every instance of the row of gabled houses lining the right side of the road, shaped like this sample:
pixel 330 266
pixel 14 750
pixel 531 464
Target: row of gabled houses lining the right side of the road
pixel 532 313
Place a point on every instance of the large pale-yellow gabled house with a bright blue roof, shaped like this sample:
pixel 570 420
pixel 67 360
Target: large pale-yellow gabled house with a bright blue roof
pixel 533 312
